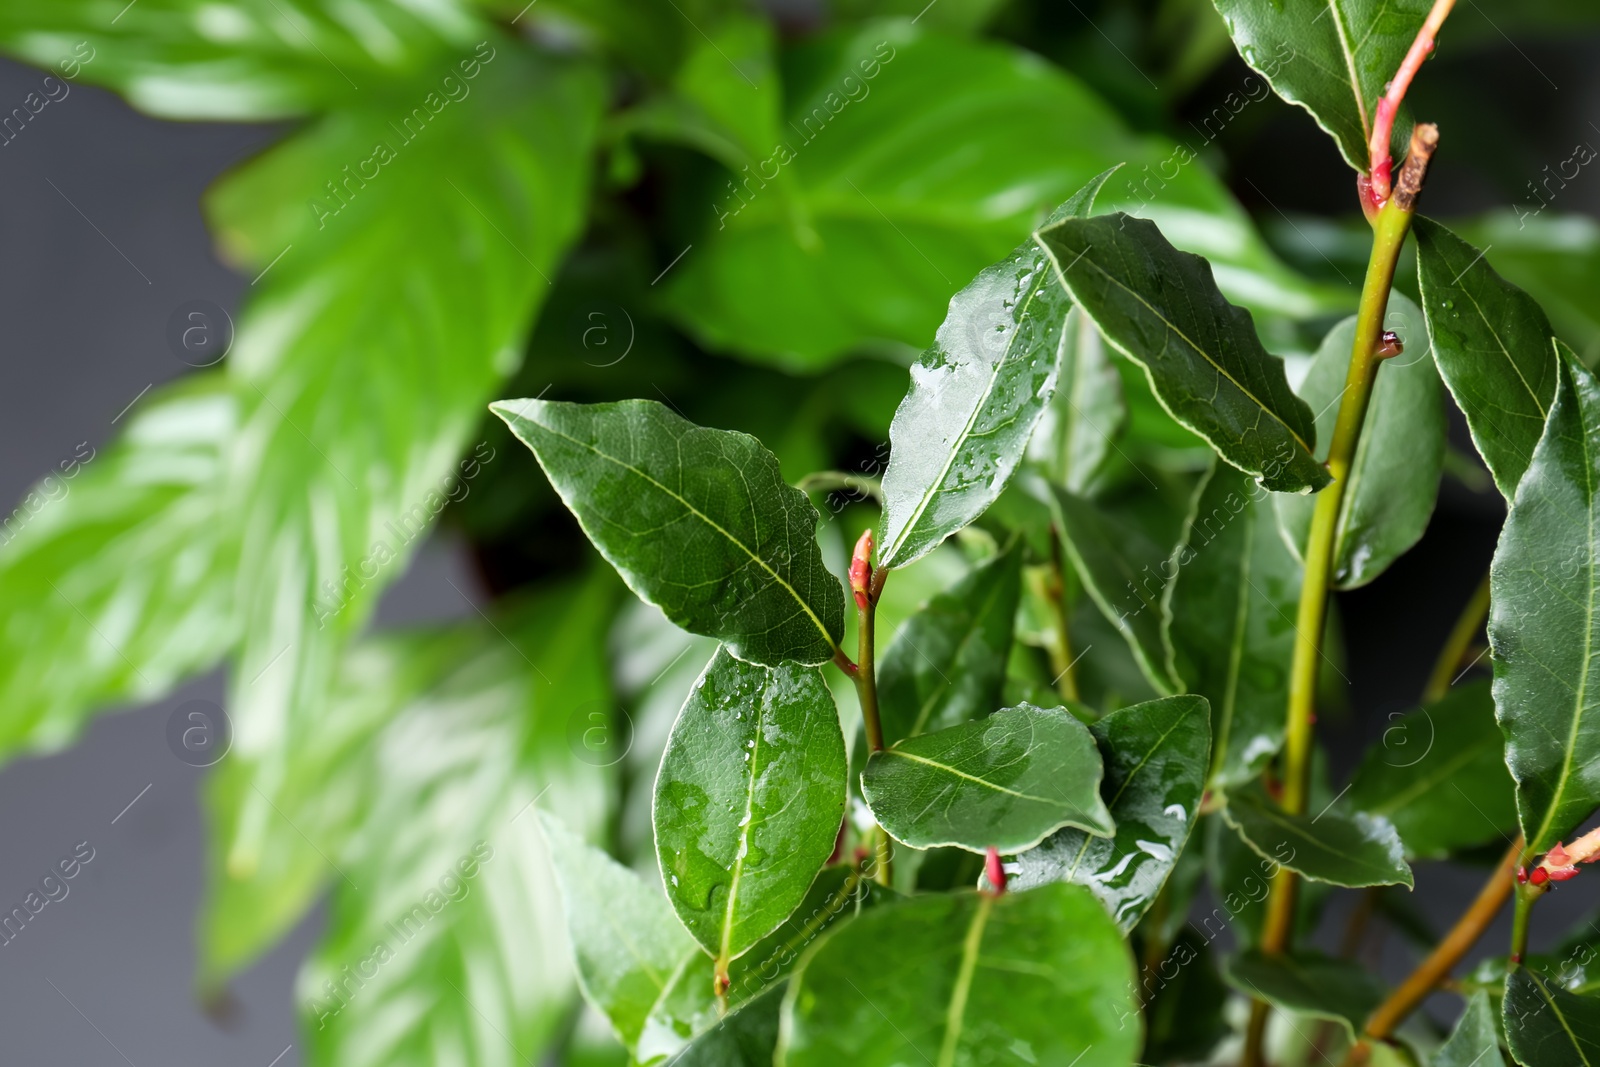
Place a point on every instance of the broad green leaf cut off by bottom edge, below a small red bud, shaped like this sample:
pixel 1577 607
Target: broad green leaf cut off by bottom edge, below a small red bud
pixel 958 978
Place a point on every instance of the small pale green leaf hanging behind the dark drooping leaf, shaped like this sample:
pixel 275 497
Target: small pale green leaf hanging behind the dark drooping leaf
pixel 1081 426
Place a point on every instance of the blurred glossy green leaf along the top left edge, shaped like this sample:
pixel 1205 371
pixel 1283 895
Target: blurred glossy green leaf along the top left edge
pixel 252 60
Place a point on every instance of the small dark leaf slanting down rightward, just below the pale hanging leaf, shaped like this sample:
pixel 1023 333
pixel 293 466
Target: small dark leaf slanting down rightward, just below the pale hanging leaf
pixel 1126 575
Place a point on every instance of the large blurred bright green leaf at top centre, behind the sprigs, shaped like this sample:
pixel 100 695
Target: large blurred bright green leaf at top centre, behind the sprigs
pixel 913 182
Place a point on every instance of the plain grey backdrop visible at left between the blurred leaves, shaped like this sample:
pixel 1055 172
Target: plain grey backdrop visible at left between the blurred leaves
pixel 102 238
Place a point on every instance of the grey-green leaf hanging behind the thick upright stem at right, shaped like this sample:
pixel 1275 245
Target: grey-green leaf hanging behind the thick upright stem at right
pixel 1394 478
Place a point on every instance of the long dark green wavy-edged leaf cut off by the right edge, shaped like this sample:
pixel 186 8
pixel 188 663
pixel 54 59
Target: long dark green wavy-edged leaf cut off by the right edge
pixel 1545 623
